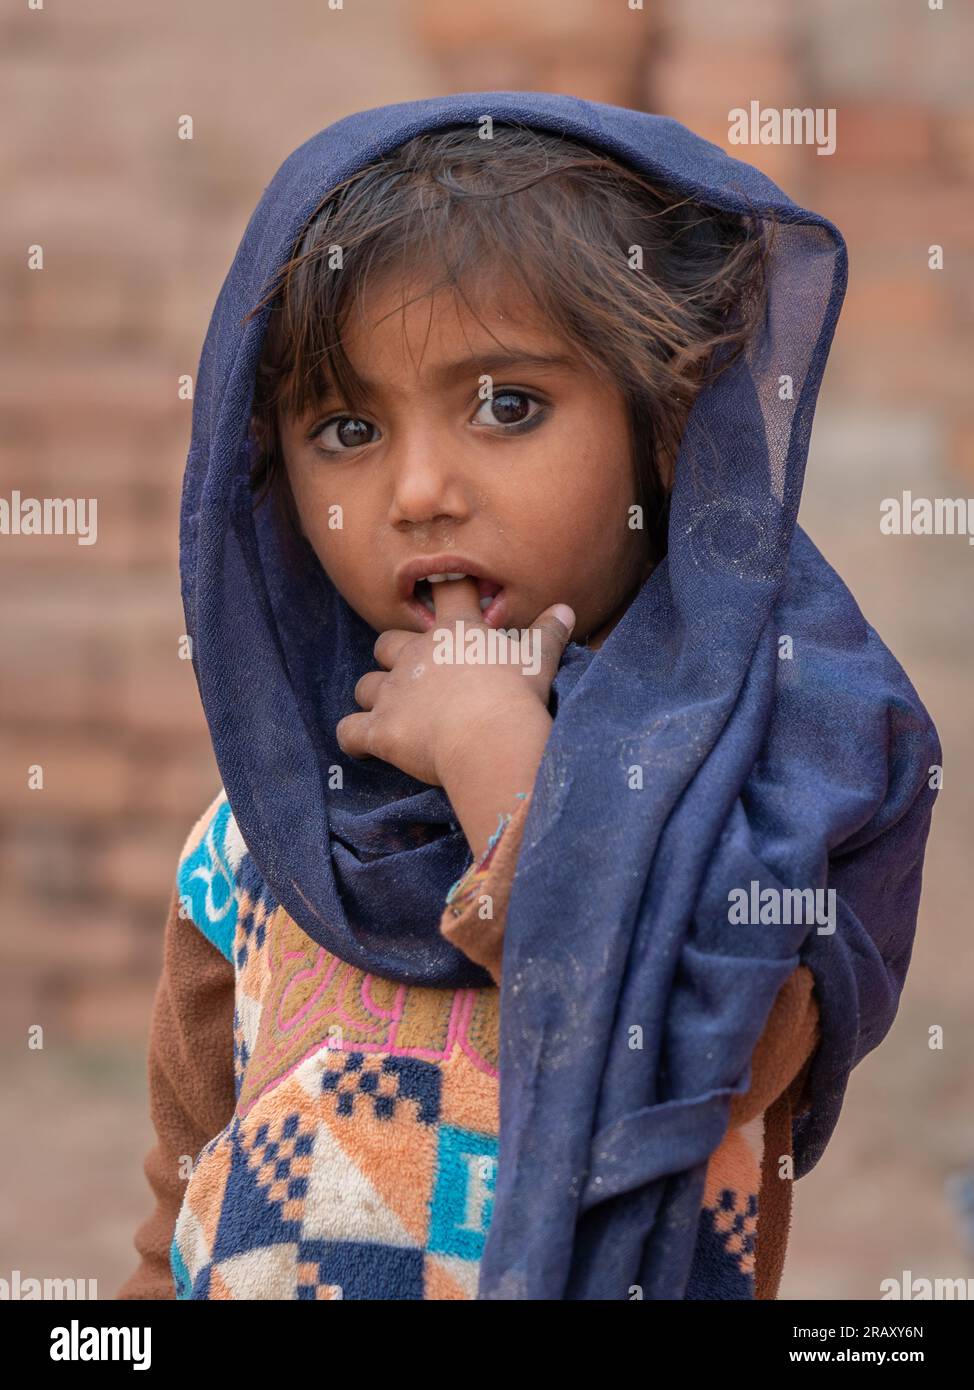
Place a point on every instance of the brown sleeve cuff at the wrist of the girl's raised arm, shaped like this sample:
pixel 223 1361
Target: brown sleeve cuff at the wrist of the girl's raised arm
pixel 483 939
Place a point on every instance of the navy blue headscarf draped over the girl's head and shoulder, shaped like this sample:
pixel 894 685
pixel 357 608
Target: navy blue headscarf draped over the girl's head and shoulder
pixel 686 764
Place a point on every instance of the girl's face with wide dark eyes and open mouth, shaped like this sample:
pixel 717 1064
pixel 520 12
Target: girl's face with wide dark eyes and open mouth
pixel 530 490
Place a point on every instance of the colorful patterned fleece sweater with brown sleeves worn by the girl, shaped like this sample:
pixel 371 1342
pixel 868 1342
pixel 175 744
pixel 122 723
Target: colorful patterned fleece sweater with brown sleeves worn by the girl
pixel 326 1134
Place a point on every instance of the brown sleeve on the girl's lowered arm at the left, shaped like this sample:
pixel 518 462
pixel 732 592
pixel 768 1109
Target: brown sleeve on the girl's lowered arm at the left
pixel 191 1085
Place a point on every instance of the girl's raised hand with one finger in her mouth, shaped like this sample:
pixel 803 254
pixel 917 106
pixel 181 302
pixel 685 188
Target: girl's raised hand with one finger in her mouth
pixel 423 714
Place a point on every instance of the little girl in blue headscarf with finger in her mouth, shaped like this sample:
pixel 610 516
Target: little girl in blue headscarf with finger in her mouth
pixel 452 1001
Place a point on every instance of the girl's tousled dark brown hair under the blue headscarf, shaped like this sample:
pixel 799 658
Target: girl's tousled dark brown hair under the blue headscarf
pixel 561 219
